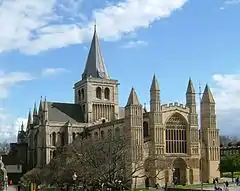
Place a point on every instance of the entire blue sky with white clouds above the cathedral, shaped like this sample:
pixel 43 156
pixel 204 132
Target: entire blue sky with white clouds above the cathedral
pixel 44 45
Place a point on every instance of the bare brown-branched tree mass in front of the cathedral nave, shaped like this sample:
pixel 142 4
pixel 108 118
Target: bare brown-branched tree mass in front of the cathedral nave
pixel 103 161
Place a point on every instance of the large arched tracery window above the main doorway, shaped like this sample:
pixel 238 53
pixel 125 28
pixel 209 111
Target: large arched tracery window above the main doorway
pixel 176 134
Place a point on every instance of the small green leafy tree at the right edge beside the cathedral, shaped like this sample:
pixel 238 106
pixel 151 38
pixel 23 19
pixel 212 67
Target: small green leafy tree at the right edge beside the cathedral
pixel 230 163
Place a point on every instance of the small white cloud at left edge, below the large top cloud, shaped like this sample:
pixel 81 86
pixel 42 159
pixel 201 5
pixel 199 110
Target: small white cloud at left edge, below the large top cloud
pixel 8 80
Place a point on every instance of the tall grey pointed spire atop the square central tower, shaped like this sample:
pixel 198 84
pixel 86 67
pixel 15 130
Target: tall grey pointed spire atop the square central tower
pixel 95 66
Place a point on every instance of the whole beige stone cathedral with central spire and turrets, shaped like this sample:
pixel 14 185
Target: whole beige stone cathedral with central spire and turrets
pixel 169 132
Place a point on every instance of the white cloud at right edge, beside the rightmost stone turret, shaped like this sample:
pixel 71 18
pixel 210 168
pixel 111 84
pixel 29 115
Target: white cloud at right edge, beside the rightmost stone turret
pixel 226 92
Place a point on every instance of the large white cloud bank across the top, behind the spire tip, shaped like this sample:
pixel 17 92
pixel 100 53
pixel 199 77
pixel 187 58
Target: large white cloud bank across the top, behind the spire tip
pixel 34 26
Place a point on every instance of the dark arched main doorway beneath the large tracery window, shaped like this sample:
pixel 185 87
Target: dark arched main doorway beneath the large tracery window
pixel 179 171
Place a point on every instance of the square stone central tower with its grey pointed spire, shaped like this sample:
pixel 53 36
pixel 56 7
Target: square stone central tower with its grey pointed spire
pixel 96 92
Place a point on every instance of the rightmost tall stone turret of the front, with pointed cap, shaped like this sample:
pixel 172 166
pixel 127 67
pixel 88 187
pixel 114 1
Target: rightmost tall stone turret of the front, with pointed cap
pixel 210 137
